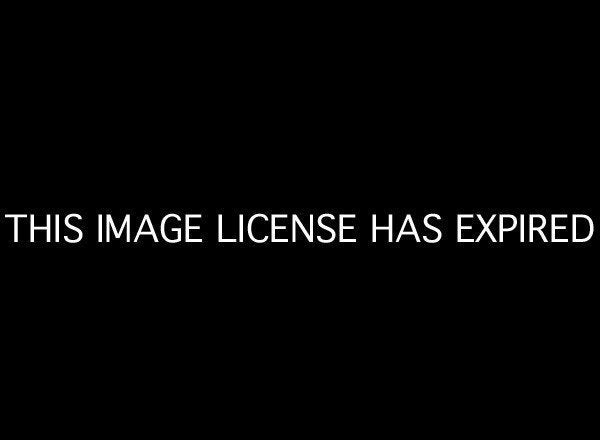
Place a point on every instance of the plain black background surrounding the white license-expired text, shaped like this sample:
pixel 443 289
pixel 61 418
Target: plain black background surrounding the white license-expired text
pixel 368 113
